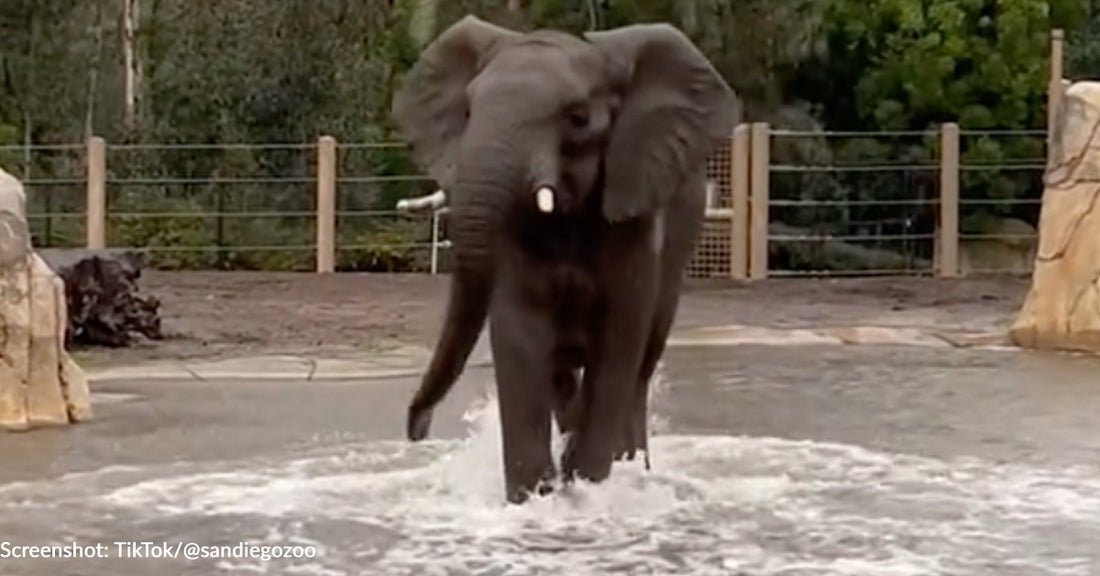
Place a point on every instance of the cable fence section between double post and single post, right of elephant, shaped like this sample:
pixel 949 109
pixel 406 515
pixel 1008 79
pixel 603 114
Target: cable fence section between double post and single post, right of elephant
pixel 852 204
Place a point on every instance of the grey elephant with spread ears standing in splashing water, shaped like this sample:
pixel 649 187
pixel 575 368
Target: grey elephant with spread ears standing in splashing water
pixel 574 169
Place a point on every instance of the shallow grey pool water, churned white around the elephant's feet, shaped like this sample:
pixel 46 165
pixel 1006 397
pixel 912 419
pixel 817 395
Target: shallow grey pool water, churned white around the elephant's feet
pixel 767 461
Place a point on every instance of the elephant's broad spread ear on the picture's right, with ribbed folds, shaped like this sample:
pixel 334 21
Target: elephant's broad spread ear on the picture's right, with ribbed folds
pixel 676 109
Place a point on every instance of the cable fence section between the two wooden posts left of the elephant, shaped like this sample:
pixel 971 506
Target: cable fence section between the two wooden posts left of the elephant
pixel 217 206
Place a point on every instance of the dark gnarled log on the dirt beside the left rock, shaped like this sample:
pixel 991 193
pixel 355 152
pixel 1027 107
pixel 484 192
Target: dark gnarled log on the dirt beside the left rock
pixel 105 305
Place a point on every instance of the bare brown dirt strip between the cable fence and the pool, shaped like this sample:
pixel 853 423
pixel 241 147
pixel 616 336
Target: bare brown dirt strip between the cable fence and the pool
pixel 224 314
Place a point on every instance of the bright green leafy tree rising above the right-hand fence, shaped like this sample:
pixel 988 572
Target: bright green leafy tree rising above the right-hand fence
pixel 934 61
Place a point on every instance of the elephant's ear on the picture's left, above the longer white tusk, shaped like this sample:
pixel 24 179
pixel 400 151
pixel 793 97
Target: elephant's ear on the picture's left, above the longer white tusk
pixel 431 105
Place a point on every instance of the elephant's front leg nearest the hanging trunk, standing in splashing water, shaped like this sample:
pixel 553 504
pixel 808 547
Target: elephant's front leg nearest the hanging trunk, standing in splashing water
pixel 522 338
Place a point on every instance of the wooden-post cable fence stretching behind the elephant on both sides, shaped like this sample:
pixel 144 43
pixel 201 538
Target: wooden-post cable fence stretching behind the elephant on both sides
pixel 780 203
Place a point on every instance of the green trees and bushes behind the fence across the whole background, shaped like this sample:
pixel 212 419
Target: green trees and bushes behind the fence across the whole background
pixel 246 71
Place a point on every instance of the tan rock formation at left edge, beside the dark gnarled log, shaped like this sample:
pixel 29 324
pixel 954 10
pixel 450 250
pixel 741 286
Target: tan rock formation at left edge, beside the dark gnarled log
pixel 40 384
